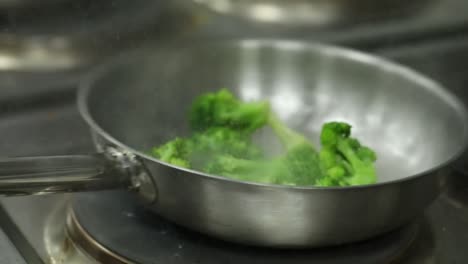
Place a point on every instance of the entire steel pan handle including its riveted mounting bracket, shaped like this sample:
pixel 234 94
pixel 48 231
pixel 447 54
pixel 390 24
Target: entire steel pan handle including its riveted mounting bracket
pixel 112 169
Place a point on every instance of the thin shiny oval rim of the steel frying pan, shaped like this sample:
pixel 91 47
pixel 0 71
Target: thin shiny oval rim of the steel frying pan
pixel 87 84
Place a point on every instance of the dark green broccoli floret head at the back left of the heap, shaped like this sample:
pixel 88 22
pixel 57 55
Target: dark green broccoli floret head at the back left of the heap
pixel 223 109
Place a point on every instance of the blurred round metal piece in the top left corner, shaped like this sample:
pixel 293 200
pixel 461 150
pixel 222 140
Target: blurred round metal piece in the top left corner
pixel 51 45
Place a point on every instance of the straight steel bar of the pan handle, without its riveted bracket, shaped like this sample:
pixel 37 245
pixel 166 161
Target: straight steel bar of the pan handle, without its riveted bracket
pixel 58 174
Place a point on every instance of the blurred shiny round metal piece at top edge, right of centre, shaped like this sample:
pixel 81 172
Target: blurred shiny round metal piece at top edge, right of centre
pixel 312 12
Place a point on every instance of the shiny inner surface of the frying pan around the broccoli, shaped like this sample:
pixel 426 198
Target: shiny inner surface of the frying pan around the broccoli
pixel 411 122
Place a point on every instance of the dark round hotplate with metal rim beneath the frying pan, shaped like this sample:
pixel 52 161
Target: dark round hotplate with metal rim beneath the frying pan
pixel 112 228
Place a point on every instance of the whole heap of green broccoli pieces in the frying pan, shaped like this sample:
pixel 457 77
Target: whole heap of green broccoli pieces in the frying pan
pixel 221 144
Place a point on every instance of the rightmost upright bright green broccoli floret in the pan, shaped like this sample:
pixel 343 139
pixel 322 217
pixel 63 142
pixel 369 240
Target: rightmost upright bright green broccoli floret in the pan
pixel 344 159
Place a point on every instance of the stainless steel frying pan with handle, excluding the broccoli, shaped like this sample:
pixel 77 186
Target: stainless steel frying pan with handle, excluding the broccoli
pixel 141 100
